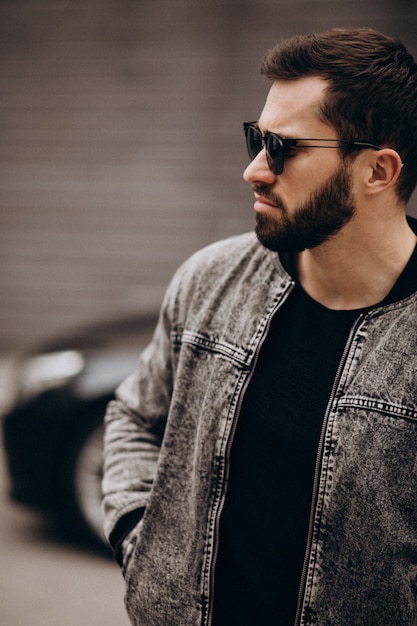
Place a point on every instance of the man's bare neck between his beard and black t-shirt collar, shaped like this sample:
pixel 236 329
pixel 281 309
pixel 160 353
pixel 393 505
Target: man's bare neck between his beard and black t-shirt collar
pixel 357 268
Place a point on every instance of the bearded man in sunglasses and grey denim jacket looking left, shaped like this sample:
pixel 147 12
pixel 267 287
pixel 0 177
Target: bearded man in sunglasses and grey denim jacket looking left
pixel 261 465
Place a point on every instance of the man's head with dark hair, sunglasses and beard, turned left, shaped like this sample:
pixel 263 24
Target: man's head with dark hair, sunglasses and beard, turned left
pixel 338 123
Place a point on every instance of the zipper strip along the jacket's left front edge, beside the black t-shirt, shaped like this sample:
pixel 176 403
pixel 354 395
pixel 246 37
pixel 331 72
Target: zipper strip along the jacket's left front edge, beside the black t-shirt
pixel 228 450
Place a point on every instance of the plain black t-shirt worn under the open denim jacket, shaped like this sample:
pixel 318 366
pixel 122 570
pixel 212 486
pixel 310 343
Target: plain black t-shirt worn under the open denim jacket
pixel 264 523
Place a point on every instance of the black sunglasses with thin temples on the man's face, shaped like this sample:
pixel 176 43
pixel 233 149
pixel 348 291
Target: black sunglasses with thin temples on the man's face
pixel 277 147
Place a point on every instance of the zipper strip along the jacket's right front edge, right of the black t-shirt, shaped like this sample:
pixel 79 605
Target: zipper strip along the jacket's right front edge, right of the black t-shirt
pixel 317 470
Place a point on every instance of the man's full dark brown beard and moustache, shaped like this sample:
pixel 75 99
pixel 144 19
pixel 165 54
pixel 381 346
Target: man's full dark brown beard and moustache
pixel 324 215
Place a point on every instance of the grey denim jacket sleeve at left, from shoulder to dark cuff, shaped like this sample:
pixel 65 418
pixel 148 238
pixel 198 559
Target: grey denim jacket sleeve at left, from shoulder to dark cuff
pixel 135 421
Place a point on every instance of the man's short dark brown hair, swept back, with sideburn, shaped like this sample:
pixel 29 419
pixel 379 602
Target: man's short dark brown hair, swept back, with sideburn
pixel 372 93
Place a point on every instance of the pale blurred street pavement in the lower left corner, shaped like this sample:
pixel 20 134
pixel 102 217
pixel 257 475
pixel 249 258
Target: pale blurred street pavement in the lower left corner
pixel 45 581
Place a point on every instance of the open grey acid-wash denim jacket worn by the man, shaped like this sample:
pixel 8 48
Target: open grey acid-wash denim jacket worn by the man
pixel 170 430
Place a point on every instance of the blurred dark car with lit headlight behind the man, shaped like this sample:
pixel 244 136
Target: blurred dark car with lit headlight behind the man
pixel 53 433
